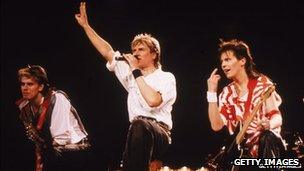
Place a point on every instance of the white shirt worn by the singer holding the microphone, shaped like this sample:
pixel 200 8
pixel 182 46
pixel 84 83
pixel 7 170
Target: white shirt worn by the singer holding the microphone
pixel 163 82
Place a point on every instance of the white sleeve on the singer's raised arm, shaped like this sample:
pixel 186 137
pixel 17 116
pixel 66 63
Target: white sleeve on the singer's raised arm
pixel 121 70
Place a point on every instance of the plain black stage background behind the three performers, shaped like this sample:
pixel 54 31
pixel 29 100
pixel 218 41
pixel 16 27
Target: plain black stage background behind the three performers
pixel 46 33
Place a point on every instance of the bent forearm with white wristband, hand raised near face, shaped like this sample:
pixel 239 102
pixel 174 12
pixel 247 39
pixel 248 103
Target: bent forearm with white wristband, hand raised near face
pixel 213 109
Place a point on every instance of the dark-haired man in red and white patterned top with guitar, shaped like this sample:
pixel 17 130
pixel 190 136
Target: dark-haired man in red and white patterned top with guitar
pixel 240 104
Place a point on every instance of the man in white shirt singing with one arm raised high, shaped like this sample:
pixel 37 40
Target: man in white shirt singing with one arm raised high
pixel 151 94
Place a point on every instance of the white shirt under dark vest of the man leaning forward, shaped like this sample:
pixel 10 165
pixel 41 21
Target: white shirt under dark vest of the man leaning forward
pixel 64 126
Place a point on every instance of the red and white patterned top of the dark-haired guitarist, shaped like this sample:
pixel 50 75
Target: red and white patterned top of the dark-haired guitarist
pixel 232 109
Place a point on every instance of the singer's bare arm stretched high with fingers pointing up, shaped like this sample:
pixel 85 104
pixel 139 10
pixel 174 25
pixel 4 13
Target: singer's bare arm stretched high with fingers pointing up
pixel 103 47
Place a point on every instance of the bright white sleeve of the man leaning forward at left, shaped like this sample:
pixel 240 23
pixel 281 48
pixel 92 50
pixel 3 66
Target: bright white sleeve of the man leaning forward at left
pixel 60 120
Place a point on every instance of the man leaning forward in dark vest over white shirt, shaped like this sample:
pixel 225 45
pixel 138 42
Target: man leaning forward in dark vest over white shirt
pixel 51 122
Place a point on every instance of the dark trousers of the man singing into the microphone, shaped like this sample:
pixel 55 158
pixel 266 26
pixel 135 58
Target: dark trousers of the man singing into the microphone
pixel 146 141
